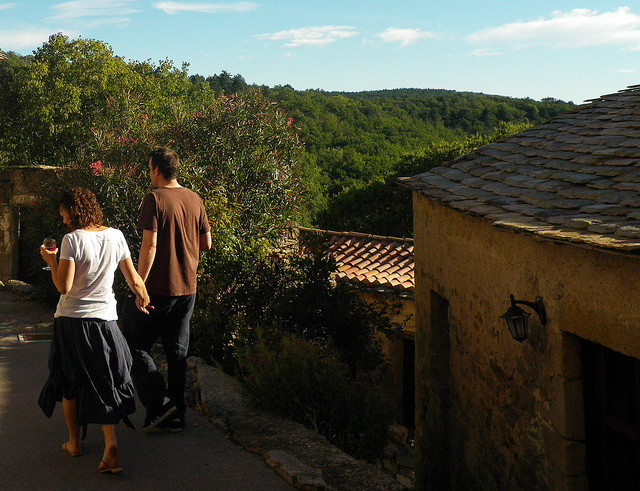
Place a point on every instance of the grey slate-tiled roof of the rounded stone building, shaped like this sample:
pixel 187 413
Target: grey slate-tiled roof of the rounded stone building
pixel 574 178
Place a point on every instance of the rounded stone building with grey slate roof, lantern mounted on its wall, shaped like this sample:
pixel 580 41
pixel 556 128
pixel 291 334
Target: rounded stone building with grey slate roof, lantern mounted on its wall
pixel 552 212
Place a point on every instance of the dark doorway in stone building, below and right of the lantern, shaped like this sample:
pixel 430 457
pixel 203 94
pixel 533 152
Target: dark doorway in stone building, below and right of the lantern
pixel 612 411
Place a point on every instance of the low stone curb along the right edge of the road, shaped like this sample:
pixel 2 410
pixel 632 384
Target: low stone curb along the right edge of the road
pixel 304 459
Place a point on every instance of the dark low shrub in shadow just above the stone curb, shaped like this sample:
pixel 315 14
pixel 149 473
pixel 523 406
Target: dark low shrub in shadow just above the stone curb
pixel 305 381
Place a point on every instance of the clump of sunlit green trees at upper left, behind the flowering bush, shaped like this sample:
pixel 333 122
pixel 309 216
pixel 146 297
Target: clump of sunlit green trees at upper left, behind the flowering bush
pixel 72 89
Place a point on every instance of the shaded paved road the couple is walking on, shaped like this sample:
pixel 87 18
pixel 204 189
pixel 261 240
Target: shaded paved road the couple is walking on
pixel 31 458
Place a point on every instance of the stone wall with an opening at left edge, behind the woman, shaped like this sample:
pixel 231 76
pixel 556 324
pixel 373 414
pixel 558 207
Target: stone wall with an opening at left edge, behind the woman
pixel 19 187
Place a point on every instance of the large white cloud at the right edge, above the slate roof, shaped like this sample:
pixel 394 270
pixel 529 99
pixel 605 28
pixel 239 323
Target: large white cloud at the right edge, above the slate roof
pixel 574 29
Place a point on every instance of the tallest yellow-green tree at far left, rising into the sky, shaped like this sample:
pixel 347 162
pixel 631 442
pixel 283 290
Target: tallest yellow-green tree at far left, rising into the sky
pixel 58 93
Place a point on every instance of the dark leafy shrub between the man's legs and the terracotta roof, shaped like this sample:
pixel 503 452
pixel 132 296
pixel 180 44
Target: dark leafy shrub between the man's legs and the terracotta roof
pixel 294 293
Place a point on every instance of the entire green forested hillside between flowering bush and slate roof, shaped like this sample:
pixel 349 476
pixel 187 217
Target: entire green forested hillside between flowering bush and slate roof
pixel 358 142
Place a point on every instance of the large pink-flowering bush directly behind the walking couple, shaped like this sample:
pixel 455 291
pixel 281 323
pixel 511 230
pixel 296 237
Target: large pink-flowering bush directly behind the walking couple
pixel 237 153
